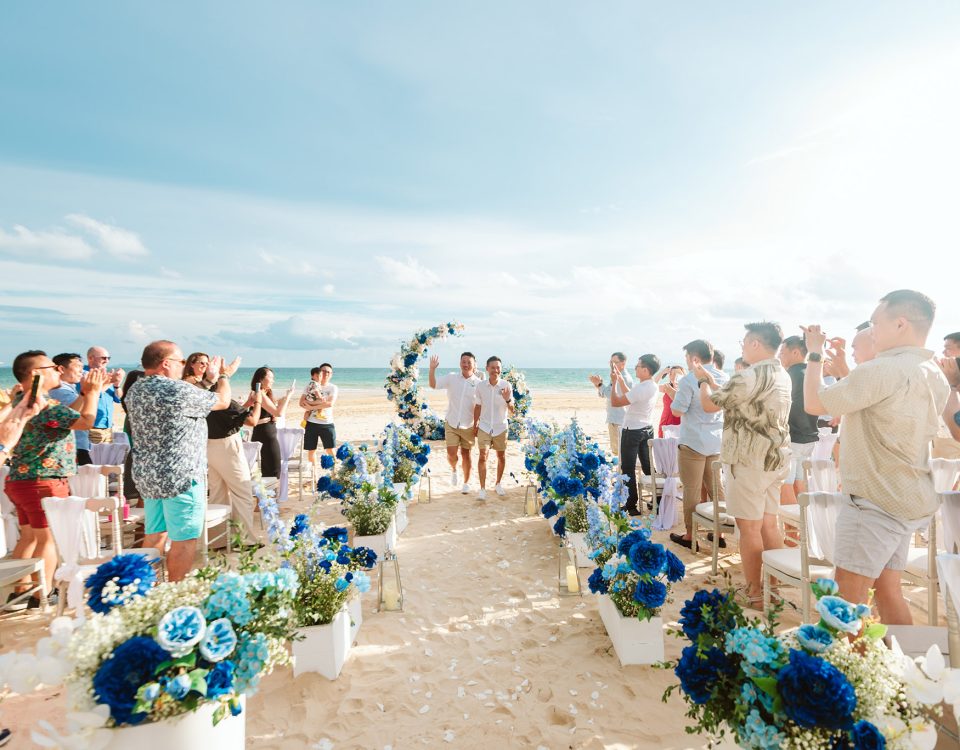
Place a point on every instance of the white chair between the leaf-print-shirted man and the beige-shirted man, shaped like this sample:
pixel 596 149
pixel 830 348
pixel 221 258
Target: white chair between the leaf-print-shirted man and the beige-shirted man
pixel 811 559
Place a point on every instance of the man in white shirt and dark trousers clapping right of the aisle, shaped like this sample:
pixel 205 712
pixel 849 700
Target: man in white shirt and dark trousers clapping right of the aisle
pixel 637 432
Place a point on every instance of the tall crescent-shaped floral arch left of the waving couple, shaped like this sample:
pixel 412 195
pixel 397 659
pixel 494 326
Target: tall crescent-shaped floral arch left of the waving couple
pixel 402 384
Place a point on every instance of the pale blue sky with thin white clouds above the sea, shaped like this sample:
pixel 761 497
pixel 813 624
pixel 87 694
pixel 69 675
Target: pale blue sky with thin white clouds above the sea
pixel 298 182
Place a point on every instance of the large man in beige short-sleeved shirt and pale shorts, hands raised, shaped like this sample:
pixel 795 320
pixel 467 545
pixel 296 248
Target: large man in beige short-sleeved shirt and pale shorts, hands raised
pixel 890 406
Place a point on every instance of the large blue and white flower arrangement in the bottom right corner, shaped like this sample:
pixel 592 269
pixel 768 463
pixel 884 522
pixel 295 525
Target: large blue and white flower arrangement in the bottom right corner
pixel 812 687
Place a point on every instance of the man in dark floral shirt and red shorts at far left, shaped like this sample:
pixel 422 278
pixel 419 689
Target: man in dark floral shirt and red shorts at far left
pixel 45 455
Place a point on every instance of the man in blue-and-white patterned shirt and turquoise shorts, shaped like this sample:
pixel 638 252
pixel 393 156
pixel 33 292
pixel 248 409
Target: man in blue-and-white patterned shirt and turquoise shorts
pixel 168 416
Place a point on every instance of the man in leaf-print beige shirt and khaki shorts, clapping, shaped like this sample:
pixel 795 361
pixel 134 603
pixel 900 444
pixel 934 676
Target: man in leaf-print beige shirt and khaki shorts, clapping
pixel 754 448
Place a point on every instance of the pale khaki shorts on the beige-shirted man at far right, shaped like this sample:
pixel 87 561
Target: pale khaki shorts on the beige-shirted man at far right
pixel 869 539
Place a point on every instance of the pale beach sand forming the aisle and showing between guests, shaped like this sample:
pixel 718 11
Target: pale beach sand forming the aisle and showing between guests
pixel 486 653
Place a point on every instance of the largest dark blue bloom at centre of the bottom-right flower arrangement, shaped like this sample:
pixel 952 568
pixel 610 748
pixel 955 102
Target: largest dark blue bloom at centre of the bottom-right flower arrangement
pixel 815 693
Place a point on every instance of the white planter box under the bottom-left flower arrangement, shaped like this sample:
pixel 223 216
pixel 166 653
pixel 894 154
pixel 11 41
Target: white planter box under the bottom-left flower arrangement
pixel 191 731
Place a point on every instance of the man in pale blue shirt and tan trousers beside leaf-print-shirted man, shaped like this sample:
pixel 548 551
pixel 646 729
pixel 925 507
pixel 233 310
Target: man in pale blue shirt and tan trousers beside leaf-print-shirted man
pixel 700 435
